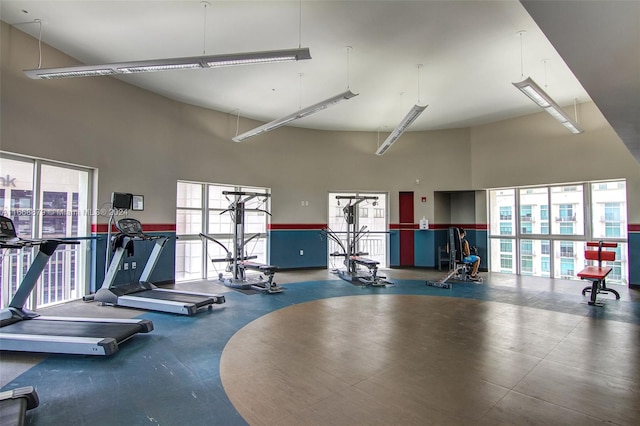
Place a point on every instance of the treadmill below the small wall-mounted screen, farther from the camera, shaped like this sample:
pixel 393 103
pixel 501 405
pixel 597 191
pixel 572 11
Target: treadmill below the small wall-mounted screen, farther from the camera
pixel 143 294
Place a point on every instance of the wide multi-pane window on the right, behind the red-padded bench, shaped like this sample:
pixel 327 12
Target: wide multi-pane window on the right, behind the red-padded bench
pixel 547 236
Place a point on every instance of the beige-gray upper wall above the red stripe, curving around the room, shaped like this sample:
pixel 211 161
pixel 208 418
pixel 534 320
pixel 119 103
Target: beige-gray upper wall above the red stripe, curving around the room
pixel 143 143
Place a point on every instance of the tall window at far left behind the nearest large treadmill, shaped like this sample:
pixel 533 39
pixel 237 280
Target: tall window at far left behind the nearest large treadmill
pixel 45 200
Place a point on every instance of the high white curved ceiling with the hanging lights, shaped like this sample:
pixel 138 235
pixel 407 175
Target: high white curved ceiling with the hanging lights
pixel 471 52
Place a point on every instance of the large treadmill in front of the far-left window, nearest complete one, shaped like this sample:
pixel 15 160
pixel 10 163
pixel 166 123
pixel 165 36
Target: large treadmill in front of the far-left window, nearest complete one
pixel 22 330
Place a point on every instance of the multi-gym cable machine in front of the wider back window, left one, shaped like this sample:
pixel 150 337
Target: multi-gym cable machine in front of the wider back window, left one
pixel 238 261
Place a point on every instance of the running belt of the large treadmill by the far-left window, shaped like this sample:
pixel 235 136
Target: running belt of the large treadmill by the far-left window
pixel 118 331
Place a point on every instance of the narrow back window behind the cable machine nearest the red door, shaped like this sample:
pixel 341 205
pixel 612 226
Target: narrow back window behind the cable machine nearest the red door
pixel 372 216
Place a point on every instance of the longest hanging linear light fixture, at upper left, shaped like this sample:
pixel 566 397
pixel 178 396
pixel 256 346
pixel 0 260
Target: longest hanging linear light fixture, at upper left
pixel 212 61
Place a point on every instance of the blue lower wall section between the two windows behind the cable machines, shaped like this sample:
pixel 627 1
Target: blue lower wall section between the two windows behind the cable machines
pixel 285 246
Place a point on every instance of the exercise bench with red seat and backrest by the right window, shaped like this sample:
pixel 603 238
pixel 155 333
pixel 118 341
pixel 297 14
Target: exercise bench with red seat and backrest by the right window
pixel 597 274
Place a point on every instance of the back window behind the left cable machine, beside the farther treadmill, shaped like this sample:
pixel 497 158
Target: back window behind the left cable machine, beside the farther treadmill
pixel 203 208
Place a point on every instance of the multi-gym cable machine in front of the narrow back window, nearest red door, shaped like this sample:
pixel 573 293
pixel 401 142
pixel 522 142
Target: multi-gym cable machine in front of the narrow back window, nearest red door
pixel 358 268
